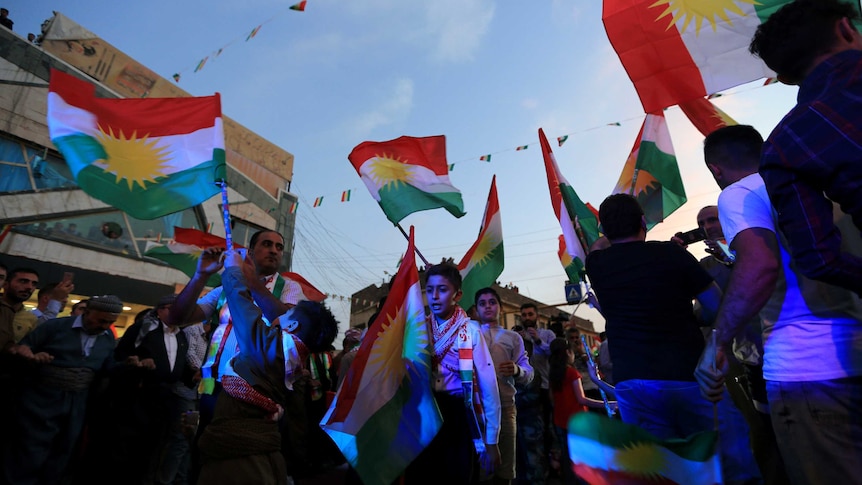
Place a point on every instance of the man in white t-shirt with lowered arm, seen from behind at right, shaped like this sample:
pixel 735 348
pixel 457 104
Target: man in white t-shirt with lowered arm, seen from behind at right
pixel 812 330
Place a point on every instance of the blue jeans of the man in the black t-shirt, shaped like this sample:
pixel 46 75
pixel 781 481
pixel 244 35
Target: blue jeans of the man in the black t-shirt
pixel 676 409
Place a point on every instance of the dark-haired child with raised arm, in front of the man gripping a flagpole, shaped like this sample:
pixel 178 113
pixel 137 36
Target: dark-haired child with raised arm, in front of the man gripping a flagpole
pixel 243 443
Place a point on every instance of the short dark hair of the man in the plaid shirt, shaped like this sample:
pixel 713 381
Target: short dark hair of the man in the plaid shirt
pixel 791 38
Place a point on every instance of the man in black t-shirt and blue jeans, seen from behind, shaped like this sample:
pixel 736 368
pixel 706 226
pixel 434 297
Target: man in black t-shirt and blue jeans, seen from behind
pixel 645 289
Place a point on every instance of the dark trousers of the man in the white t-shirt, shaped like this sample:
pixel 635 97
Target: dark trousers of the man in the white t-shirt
pixel 818 425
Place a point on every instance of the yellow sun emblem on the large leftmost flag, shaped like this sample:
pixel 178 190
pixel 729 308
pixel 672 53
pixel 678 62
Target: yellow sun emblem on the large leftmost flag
pixel 138 160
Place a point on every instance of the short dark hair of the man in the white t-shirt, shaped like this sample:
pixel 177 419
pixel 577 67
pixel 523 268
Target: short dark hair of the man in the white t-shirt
pixel 736 146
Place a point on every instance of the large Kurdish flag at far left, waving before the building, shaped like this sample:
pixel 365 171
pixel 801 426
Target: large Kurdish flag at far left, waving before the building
pixel 147 157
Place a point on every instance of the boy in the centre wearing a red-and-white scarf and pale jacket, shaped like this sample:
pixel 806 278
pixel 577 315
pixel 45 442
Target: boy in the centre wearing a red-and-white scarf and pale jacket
pixel 458 344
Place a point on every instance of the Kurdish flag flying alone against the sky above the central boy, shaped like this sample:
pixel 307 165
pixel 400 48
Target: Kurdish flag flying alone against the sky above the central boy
pixel 407 175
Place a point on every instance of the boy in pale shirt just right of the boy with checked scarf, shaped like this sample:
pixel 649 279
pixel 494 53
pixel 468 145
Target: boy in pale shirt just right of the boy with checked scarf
pixel 513 366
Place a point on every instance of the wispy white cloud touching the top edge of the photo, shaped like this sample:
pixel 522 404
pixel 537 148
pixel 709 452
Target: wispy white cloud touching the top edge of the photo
pixel 458 26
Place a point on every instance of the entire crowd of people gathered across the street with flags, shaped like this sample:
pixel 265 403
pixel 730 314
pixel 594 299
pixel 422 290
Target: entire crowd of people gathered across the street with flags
pixel 761 340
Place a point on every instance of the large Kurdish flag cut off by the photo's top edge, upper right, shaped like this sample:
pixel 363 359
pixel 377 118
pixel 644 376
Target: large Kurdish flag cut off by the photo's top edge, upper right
pixel 674 51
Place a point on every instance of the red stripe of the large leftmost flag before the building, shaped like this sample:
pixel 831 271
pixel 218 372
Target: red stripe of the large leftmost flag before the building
pixel 146 116
